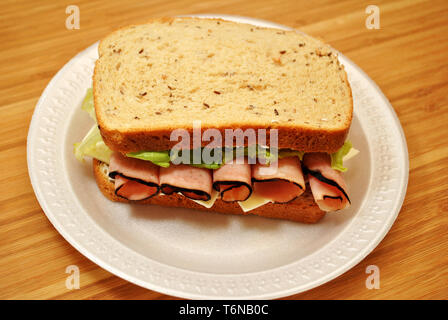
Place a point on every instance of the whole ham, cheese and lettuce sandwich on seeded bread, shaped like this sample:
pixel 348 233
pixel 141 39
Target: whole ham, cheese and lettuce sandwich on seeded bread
pixel 167 94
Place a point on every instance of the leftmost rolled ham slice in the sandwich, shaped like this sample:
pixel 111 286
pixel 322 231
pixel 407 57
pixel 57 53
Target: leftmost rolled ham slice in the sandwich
pixel 134 179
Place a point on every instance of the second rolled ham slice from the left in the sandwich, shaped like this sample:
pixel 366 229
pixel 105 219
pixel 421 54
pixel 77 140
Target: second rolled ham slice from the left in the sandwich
pixel 194 183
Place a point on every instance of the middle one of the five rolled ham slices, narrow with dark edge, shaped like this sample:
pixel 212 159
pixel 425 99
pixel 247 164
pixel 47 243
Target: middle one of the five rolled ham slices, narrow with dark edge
pixel 233 181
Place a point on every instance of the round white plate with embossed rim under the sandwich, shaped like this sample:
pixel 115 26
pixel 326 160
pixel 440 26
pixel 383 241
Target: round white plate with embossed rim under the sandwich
pixel 193 254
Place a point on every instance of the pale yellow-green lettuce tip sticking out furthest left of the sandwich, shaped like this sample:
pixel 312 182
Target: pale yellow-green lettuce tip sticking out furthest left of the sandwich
pixel 93 146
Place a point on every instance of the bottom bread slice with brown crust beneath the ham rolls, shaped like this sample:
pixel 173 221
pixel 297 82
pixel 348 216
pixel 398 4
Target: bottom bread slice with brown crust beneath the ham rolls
pixel 303 209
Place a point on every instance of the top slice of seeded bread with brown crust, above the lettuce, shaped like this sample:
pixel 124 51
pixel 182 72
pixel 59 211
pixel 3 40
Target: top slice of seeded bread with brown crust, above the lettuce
pixel 153 78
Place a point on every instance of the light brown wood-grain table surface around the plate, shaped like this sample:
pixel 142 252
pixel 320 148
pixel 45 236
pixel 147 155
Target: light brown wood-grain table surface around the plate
pixel 407 57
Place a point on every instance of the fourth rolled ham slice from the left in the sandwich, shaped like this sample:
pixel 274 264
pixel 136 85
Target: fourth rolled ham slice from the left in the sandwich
pixel 281 182
